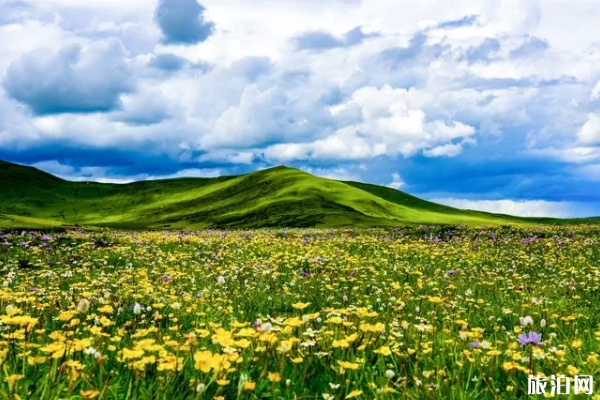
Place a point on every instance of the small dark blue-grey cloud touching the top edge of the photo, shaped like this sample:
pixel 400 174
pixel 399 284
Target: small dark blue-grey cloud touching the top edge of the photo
pixel 183 22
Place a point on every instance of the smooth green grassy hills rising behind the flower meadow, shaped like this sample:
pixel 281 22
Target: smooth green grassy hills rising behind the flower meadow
pixel 274 197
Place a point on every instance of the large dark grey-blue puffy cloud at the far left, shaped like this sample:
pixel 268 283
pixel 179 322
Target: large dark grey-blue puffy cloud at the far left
pixel 72 80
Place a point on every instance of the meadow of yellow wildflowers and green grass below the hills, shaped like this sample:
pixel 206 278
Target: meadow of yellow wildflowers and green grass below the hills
pixel 415 313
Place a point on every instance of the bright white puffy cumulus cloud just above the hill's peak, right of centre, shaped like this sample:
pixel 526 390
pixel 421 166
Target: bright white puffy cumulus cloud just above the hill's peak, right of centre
pixel 386 124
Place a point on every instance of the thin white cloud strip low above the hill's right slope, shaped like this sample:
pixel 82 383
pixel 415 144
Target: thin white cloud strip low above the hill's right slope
pixel 524 208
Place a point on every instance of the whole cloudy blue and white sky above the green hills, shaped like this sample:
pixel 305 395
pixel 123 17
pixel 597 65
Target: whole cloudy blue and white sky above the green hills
pixel 491 105
